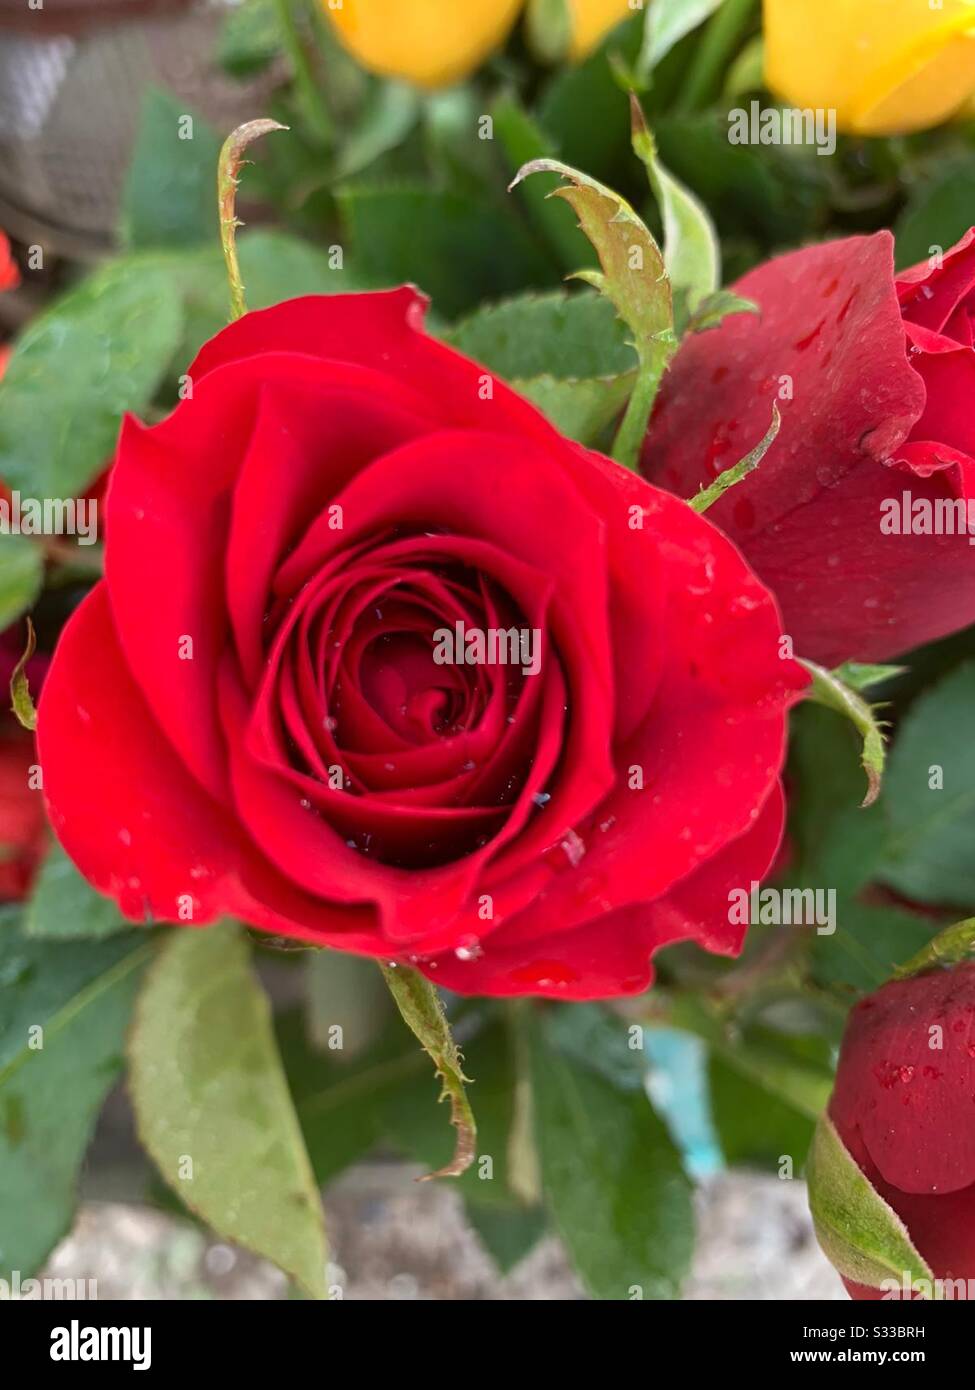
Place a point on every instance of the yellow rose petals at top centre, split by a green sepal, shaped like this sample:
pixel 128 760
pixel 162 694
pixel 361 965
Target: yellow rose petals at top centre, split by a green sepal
pixel 437 42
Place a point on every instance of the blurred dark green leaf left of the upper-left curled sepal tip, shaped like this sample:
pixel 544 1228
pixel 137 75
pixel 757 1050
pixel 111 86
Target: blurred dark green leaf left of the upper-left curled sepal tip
pixel 170 197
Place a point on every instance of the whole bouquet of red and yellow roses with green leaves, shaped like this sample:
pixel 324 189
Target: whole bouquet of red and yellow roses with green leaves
pixel 550 596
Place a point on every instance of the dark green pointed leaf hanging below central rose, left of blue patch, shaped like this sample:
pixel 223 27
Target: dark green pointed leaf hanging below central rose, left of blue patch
pixel 613 1182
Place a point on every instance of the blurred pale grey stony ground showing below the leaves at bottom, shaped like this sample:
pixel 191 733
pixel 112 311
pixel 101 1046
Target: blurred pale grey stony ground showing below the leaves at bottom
pixel 394 1239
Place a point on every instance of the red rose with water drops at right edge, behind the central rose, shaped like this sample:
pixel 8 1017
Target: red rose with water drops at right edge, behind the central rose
pixel 883 404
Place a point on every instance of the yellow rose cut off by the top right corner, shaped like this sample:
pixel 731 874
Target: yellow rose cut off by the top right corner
pixel 885 66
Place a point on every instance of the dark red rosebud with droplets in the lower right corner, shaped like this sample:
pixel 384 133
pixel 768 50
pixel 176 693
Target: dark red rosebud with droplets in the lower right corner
pixel 903 1109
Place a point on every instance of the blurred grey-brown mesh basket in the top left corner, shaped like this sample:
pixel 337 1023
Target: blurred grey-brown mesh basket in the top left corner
pixel 73 76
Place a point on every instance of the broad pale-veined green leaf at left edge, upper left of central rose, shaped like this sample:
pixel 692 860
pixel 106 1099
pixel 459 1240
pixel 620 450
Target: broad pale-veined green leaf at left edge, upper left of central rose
pixel 106 345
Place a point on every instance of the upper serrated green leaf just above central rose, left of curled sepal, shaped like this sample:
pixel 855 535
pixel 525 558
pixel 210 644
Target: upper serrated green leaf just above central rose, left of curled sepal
pixel 533 336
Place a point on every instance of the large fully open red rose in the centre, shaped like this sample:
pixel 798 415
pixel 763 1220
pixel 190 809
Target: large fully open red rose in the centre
pixel 248 715
